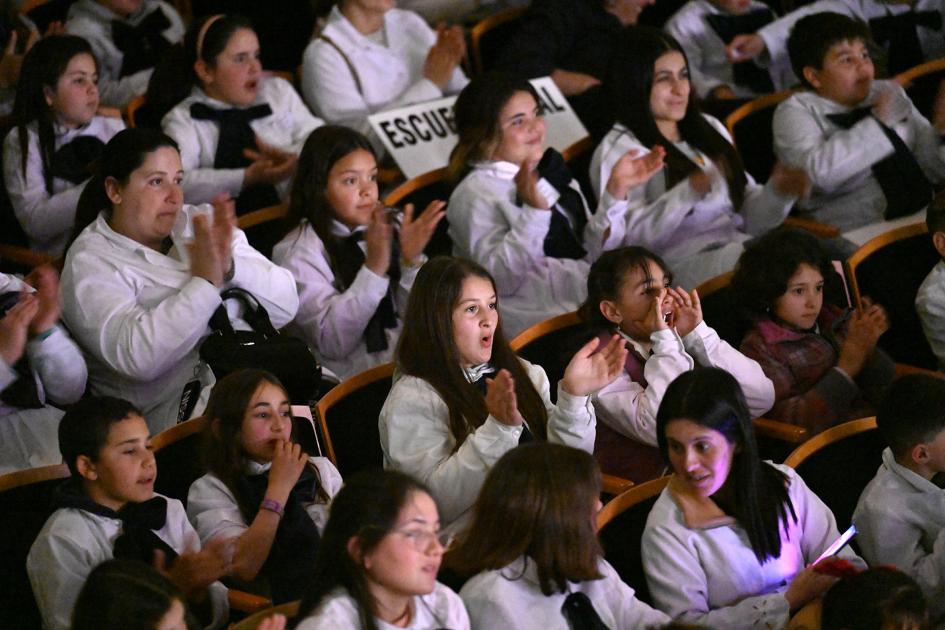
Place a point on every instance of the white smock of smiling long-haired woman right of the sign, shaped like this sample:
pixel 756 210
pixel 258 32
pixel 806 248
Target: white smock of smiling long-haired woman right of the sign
pixel 698 238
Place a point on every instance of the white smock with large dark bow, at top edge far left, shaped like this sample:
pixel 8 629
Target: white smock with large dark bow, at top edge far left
pixel 93 22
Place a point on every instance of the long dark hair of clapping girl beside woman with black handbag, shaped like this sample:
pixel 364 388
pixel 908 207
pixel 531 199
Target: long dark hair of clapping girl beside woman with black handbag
pixel 309 199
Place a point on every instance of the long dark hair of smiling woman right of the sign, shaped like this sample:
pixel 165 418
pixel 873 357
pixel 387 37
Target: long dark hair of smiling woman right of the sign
pixel 627 87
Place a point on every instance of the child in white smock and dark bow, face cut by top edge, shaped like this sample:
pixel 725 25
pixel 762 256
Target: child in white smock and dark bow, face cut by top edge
pixel 704 28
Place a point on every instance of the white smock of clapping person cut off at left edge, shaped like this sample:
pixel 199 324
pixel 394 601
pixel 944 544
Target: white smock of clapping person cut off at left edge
pixel 30 437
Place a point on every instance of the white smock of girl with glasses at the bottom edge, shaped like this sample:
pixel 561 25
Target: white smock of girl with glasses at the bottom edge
pixel 440 609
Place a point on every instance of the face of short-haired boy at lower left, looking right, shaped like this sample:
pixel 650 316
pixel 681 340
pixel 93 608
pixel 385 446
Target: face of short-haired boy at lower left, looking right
pixel 124 470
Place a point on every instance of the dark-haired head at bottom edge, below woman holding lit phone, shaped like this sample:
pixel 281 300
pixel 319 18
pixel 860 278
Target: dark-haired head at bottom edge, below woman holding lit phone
pixel 881 598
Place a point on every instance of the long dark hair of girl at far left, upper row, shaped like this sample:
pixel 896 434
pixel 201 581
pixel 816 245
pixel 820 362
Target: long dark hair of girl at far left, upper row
pixel 42 67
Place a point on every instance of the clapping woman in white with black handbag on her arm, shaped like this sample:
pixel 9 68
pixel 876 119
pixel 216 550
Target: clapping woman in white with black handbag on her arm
pixel 141 282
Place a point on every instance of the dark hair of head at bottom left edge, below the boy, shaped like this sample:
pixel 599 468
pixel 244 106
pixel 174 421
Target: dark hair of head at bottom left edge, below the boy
pixel 126 594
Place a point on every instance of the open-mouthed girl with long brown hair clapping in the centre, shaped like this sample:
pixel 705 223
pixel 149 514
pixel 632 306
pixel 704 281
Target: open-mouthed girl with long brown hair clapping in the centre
pixel 445 421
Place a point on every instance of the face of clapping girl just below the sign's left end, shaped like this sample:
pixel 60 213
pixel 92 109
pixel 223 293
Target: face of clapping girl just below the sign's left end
pixel 352 188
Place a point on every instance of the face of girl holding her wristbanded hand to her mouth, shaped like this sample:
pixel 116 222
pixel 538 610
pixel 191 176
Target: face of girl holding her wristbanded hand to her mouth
pixel 267 421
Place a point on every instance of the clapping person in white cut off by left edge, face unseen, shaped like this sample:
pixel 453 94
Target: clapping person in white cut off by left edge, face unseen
pixel 40 366
